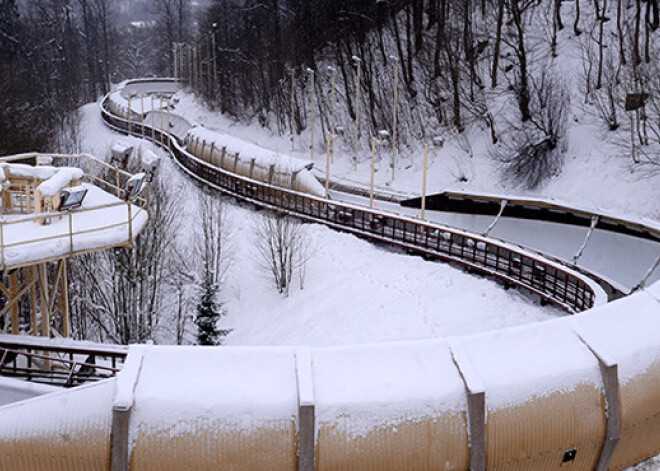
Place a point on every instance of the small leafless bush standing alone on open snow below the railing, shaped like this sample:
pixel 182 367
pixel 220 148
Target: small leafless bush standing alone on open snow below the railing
pixel 283 249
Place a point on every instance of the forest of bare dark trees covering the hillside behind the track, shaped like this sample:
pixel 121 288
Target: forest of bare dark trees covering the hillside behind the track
pixel 457 61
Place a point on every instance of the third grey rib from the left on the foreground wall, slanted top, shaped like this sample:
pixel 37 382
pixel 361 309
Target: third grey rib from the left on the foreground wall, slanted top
pixel 476 399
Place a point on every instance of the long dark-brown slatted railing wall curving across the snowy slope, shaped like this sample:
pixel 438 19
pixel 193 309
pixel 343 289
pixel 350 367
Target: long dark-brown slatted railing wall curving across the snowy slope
pixel 568 289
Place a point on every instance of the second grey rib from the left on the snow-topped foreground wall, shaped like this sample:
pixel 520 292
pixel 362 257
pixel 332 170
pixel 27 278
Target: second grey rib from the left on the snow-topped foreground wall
pixel 306 412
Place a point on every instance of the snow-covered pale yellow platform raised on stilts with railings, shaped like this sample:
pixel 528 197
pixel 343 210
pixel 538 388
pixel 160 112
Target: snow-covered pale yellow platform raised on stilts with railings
pixel 55 207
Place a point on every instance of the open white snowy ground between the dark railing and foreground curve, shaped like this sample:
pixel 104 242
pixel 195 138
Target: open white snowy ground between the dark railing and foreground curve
pixel 355 291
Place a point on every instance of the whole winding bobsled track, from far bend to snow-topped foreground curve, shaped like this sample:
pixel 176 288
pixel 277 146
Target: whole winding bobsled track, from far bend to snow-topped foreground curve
pixel 581 392
